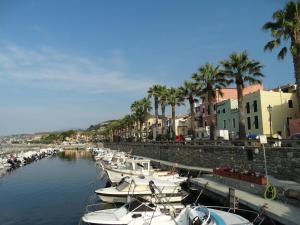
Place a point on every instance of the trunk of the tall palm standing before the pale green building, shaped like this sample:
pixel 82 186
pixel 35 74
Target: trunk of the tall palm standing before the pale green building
pixel 242 130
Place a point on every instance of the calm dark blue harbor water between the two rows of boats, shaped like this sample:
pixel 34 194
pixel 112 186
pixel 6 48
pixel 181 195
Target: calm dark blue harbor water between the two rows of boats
pixel 51 191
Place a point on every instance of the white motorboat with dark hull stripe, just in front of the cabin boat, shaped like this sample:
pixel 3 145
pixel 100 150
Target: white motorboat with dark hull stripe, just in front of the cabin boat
pixel 166 191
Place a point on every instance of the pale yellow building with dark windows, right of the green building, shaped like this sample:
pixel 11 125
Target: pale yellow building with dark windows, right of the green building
pixel 283 108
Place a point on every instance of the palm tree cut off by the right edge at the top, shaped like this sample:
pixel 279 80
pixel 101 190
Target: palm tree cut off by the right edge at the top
pixel 286 26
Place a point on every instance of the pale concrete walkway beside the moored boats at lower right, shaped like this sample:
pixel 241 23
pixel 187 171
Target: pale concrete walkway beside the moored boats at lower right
pixel 276 210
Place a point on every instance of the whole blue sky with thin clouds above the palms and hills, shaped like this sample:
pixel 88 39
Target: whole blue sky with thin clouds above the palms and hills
pixel 70 63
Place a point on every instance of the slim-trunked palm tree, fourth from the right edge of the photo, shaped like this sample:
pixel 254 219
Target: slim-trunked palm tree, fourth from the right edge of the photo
pixel 190 91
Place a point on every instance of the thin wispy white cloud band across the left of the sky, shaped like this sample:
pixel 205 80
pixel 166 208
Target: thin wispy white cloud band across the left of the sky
pixel 46 67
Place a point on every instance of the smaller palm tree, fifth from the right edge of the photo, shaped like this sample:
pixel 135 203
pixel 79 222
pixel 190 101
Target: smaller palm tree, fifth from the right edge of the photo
pixel 174 98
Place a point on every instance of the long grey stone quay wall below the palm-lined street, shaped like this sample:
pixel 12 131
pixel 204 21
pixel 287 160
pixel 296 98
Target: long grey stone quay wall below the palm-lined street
pixel 282 163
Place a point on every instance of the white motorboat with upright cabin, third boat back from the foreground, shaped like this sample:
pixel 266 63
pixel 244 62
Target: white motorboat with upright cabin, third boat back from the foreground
pixel 137 168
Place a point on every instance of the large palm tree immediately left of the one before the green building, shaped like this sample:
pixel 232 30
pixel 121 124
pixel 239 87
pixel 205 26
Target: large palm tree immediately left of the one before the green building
pixel 211 81
